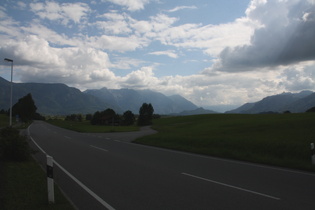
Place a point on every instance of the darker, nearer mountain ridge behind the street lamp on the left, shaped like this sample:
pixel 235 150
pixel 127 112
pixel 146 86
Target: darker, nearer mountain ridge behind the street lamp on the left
pixel 54 99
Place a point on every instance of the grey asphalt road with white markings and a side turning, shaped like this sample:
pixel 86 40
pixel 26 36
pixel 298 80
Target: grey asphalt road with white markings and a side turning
pixel 106 171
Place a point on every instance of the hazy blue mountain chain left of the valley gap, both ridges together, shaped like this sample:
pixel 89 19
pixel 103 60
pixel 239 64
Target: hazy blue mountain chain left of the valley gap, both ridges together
pixel 59 99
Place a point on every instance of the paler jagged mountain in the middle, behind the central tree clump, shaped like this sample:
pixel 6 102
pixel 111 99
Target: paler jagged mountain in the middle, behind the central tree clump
pixel 129 99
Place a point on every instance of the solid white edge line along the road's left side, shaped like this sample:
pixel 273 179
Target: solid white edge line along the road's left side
pixel 99 199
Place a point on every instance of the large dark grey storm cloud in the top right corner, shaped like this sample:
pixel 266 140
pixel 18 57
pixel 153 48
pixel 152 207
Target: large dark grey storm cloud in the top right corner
pixel 286 37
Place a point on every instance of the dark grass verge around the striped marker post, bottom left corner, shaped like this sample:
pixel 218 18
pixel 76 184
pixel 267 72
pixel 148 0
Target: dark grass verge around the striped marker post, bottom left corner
pixel 24 186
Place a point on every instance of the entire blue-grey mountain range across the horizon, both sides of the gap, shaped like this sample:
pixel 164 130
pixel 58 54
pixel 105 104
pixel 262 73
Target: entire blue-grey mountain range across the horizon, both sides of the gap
pixel 60 99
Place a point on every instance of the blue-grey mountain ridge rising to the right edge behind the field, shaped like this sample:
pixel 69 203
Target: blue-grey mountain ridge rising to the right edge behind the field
pixel 293 102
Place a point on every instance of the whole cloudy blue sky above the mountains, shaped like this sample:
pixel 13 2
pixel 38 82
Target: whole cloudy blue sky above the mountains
pixel 212 52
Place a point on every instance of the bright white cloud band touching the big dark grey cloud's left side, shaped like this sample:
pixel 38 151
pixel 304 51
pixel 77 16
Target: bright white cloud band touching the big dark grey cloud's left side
pixel 212 39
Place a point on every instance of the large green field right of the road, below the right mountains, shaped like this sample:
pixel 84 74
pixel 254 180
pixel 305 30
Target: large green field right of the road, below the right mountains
pixel 276 139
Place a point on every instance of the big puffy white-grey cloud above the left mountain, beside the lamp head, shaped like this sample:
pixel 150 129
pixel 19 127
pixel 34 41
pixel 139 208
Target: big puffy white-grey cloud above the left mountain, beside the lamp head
pixel 38 61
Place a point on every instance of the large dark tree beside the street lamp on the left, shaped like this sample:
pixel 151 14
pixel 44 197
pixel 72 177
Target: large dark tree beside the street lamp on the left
pixel 25 108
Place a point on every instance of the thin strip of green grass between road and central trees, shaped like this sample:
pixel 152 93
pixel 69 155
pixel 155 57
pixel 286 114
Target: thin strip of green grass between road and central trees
pixel 86 127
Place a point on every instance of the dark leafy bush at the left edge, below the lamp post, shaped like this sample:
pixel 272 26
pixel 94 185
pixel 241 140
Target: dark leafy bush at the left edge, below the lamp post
pixel 13 146
